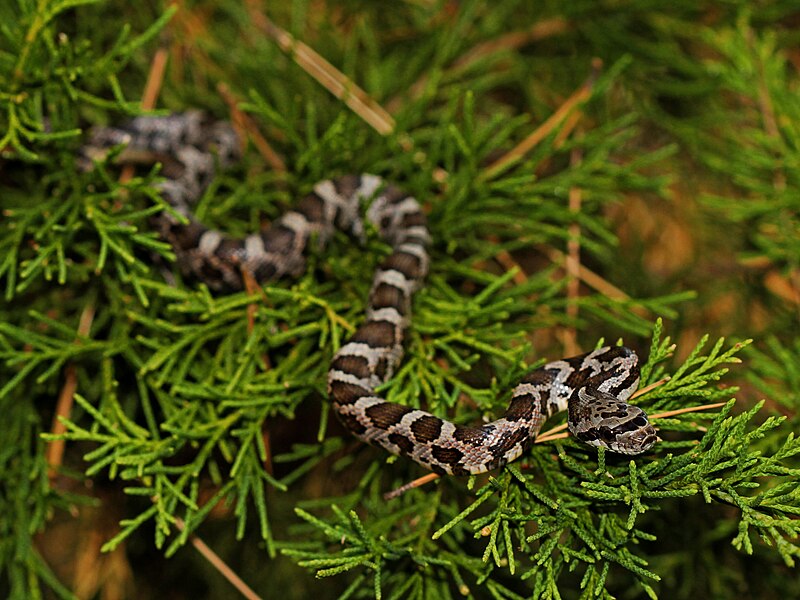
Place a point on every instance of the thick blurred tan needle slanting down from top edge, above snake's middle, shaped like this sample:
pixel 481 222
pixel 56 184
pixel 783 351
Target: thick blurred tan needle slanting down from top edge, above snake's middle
pixel 333 80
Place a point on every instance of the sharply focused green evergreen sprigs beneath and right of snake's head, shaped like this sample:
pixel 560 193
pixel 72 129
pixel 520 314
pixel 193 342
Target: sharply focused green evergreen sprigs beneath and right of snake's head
pixel 577 514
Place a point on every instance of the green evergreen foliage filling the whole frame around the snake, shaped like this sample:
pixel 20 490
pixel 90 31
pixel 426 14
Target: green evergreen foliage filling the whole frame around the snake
pixel 184 395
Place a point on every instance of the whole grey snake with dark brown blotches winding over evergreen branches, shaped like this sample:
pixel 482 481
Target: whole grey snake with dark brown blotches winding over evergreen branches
pixel 592 388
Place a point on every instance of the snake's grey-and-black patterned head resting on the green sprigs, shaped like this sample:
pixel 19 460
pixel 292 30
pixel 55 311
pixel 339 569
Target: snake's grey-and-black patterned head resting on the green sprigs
pixel 600 419
